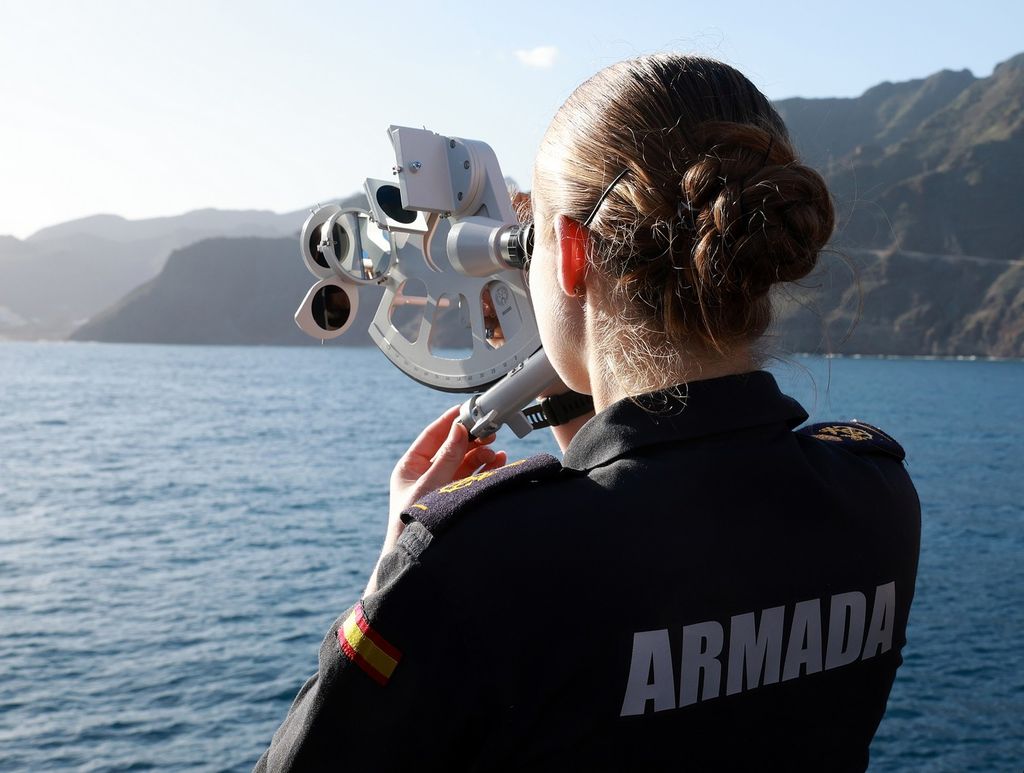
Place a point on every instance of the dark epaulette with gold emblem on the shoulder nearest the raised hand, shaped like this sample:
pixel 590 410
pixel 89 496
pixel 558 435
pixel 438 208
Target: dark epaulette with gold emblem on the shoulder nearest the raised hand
pixel 438 509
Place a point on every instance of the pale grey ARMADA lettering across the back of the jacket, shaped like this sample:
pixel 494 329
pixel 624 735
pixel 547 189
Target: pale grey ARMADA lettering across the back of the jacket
pixel 760 651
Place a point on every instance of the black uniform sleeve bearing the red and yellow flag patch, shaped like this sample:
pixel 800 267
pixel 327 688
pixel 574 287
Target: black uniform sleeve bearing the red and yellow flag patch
pixel 396 688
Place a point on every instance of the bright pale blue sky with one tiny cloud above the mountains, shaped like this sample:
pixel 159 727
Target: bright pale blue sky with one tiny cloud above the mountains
pixel 147 109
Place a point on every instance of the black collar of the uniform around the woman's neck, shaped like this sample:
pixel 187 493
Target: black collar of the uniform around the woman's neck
pixel 707 408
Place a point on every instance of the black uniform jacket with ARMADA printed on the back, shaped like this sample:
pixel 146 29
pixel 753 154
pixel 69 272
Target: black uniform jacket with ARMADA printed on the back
pixel 698 586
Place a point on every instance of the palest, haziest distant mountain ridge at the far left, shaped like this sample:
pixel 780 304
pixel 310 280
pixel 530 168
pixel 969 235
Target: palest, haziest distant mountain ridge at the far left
pixel 62 276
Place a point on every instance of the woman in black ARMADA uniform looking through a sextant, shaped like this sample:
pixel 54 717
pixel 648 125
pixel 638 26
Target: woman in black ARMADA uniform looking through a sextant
pixel 697 585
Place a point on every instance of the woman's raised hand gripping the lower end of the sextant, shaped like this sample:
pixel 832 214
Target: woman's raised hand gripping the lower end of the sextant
pixel 442 454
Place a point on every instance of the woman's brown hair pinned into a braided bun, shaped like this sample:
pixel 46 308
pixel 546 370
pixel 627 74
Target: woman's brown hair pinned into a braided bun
pixel 713 210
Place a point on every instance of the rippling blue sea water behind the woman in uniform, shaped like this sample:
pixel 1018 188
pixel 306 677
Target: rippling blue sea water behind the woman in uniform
pixel 180 527
